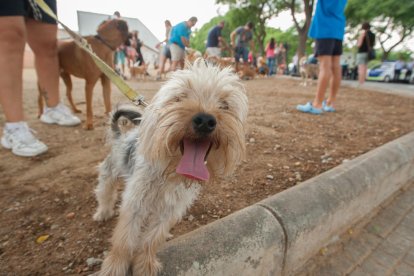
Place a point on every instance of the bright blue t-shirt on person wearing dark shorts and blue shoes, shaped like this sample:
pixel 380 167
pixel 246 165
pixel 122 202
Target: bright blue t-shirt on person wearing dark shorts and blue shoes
pixel 329 20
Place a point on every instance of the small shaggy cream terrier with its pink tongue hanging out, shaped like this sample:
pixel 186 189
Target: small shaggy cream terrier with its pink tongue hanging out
pixel 191 132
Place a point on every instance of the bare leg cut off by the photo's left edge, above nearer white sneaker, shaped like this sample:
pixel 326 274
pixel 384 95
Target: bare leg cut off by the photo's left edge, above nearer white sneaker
pixel 12 43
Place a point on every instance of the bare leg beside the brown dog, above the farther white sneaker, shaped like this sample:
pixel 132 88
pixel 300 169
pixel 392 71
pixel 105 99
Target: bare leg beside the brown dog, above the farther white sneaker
pixel 42 38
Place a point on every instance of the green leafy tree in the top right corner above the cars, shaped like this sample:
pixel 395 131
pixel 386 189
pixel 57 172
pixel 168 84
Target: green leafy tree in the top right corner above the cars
pixel 392 20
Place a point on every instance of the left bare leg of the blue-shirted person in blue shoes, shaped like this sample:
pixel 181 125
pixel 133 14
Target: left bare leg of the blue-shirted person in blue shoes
pixel 325 74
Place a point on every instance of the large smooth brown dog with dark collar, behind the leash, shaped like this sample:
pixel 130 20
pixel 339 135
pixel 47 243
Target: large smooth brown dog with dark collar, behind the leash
pixel 75 61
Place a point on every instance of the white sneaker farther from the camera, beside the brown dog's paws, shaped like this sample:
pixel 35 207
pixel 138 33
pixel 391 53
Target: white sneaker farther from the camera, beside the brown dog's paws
pixel 60 115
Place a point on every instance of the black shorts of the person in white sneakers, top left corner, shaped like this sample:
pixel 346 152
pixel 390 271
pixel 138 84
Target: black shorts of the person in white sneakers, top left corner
pixel 27 8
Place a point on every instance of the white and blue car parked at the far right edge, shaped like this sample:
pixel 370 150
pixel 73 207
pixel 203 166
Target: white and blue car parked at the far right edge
pixel 386 72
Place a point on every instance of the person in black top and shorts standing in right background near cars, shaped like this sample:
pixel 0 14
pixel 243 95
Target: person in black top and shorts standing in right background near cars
pixel 366 41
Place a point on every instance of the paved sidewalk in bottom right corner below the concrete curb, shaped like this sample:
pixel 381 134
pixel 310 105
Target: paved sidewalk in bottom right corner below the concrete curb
pixel 382 246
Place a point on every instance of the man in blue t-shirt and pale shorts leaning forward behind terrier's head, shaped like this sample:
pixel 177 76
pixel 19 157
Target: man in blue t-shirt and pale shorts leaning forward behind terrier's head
pixel 179 39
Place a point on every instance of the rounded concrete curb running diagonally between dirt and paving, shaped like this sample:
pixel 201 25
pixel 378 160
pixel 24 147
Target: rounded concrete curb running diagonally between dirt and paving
pixel 278 235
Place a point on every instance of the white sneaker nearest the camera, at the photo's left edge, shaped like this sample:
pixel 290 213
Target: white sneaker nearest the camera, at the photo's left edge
pixel 22 142
